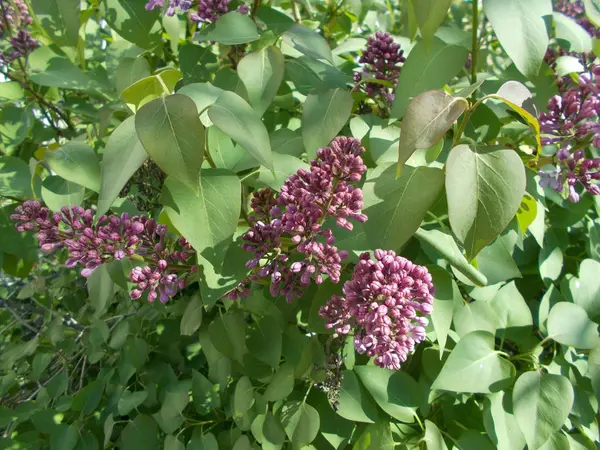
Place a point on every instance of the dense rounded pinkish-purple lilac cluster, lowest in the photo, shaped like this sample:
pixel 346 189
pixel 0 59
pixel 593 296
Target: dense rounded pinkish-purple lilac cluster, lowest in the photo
pixel 386 302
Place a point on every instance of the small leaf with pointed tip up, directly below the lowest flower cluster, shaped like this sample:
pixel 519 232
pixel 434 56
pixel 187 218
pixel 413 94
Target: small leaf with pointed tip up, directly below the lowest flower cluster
pixel 355 403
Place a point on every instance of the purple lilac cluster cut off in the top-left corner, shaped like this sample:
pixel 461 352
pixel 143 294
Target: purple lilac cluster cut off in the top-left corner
pixel 14 22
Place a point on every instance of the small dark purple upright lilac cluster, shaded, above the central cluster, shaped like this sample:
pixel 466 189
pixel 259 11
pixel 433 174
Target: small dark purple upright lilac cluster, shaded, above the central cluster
pixel 380 62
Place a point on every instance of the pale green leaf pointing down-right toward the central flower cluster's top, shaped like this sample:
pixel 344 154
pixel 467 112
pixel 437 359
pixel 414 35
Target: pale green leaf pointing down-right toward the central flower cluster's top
pixel 236 118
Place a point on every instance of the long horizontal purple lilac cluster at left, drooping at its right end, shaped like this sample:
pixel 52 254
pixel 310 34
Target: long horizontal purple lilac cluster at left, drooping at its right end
pixel 111 238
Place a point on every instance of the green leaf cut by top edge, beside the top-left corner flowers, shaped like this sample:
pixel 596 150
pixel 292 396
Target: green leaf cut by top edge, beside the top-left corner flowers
pixel 60 19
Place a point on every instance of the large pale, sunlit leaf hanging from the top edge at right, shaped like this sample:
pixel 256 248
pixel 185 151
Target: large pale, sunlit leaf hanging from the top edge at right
pixel 526 47
